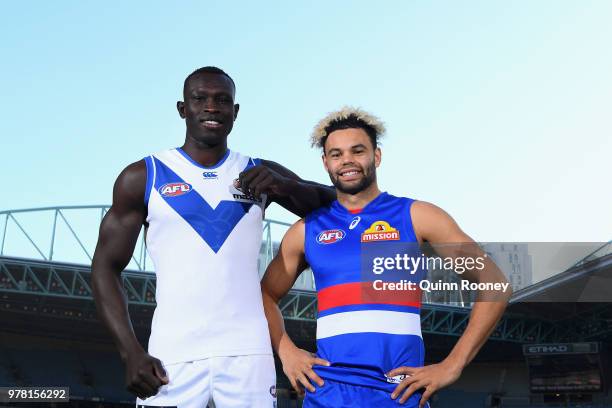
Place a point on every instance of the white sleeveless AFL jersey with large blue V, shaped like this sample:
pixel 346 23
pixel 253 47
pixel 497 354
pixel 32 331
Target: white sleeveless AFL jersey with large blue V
pixel 204 238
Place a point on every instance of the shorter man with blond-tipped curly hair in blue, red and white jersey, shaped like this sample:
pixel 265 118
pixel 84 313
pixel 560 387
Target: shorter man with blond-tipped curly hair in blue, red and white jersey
pixel 370 351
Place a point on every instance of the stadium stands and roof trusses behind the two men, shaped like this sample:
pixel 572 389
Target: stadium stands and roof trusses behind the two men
pixel 552 347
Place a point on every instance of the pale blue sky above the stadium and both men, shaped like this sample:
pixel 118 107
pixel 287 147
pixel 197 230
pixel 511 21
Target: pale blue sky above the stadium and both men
pixel 499 112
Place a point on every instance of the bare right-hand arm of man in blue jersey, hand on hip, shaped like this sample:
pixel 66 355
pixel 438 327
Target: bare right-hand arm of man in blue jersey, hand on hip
pixel 435 226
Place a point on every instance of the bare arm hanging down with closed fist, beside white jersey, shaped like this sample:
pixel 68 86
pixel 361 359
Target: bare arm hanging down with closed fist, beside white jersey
pixel 118 235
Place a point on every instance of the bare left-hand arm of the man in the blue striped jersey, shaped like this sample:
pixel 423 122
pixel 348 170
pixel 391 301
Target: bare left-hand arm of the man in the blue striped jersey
pixel 280 276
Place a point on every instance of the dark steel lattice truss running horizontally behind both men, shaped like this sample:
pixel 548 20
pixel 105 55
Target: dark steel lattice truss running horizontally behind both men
pixel 73 282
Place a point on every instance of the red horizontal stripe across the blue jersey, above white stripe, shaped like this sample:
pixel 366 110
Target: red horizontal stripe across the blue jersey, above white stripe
pixel 359 293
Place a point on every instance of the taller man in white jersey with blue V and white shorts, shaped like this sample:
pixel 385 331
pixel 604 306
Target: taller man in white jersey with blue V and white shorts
pixel 202 205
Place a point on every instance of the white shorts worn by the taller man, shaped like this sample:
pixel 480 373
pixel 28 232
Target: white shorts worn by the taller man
pixel 218 382
